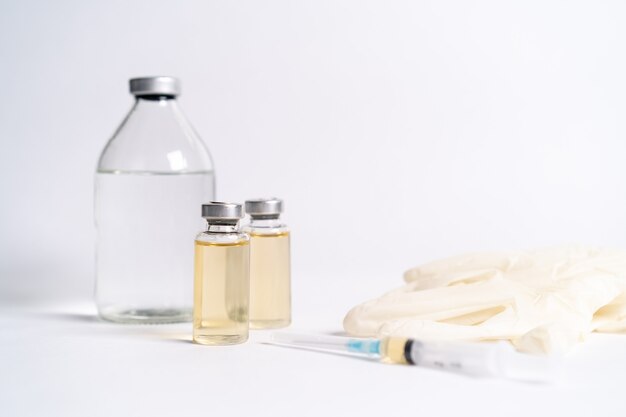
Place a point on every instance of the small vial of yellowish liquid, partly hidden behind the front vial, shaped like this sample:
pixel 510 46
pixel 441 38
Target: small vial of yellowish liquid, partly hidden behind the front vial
pixel 270 266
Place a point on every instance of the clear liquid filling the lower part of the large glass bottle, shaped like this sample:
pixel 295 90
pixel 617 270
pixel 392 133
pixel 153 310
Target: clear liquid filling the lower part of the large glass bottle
pixel 145 263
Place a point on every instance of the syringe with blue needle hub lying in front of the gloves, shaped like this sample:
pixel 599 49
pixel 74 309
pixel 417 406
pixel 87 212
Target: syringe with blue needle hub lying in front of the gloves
pixel 475 359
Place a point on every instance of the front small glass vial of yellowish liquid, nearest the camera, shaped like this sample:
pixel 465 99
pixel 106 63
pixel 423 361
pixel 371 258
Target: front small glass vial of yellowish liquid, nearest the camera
pixel 222 277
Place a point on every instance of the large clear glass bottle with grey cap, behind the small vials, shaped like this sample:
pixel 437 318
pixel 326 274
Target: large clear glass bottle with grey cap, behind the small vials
pixel 151 177
